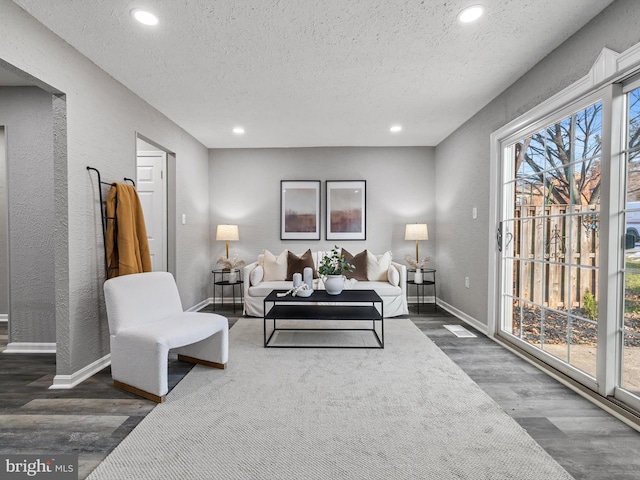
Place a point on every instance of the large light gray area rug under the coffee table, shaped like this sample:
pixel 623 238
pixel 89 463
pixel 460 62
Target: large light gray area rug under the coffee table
pixel 404 412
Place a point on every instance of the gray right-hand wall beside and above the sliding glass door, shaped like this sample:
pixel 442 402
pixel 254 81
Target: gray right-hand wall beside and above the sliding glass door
pixel 462 160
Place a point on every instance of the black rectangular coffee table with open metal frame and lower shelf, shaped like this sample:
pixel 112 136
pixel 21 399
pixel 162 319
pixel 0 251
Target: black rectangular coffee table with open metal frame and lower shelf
pixel 350 305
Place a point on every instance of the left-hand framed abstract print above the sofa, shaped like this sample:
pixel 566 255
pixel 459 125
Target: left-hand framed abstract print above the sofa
pixel 300 210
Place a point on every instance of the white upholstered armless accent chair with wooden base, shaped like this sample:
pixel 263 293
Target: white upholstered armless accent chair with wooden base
pixel 146 320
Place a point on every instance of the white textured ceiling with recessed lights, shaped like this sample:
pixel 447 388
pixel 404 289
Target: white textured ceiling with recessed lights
pixel 315 73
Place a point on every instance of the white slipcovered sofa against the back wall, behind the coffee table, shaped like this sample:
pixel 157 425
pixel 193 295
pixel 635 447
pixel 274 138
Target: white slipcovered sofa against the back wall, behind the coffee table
pixel 393 296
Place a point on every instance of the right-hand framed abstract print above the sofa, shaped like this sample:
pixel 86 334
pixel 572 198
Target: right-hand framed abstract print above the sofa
pixel 346 210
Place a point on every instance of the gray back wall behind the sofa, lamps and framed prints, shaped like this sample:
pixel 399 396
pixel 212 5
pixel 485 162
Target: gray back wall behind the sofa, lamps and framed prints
pixel 245 190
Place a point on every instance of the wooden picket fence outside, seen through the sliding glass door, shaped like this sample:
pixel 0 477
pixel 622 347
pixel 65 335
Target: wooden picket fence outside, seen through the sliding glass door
pixel 556 248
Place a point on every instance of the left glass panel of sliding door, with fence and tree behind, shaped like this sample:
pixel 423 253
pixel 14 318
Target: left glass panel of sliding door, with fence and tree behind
pixel 551 240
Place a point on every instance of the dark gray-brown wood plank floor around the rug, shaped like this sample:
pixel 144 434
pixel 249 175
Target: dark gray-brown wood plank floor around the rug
pixel 94 417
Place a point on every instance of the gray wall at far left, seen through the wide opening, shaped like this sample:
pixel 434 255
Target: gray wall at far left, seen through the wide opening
pixel 26 113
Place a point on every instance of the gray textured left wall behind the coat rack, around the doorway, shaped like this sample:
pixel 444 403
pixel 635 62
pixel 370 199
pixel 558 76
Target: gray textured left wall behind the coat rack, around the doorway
pixel 102 118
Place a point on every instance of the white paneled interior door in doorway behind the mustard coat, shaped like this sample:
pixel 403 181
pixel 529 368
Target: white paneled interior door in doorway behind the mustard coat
pixel 151 184
